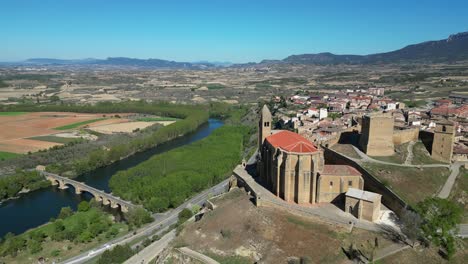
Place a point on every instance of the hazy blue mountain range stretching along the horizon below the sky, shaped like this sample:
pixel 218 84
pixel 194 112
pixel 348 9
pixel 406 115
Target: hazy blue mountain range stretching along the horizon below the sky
pixel 452 49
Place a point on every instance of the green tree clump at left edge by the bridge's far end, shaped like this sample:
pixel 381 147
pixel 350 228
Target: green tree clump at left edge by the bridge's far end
pixel 11 185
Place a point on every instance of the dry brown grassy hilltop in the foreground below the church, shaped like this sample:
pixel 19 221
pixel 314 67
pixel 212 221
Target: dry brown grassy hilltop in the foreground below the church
pixel 238 228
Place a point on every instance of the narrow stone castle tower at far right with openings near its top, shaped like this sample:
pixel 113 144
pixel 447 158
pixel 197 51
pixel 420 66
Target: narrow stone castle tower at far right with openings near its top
pixel 442 145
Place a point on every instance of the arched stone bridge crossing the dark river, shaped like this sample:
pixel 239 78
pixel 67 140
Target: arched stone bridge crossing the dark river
pixel 100 196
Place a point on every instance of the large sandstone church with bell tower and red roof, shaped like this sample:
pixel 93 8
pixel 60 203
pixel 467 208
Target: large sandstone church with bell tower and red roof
pixel 294 169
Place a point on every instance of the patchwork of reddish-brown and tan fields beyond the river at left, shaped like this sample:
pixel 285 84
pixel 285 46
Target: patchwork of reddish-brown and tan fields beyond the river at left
pixel 24 132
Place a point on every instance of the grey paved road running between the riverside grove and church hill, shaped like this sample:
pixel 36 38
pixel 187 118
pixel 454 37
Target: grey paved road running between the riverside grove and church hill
pixel 162 221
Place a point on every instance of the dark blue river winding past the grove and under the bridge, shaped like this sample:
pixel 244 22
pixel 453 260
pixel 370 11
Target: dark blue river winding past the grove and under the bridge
pixel 36 208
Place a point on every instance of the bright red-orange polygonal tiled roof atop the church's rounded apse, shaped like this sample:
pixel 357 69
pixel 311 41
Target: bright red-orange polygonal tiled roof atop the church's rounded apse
pixel 291 142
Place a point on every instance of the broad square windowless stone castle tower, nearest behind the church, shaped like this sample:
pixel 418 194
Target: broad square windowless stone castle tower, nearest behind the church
pixel 377 134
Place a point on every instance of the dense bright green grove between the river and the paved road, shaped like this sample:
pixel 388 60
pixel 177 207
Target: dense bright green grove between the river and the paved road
pixel 166 180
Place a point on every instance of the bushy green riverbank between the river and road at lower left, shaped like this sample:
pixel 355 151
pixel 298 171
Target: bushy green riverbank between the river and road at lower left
pixel 62 238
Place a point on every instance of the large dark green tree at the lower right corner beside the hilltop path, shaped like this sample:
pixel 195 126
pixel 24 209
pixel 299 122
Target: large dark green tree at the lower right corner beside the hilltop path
pixel 440 220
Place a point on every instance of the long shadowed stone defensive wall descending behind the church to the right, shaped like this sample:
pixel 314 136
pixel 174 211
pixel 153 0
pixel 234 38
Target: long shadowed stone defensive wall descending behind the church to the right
pixel 390 199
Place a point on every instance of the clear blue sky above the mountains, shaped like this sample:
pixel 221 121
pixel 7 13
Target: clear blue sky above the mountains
pixel 220 30
